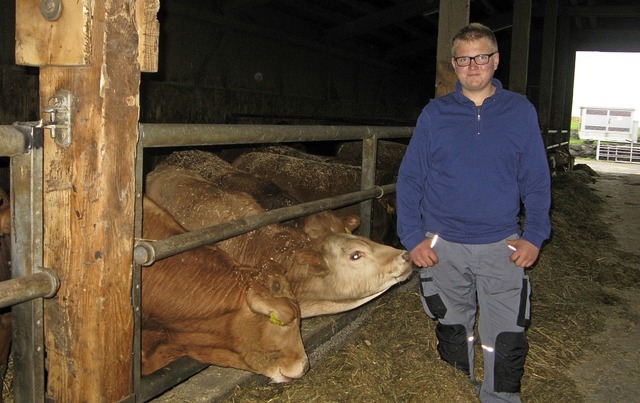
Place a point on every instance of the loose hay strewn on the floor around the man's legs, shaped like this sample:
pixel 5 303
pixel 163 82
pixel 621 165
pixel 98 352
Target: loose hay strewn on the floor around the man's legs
pixel 393 357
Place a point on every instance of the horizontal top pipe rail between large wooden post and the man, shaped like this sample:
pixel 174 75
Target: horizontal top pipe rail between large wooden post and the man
pixel 166 135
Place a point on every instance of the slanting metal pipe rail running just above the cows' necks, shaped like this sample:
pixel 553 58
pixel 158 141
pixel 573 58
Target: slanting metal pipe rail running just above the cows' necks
pixel 147 252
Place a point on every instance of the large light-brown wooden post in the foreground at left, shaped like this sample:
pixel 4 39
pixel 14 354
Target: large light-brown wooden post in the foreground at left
pixel 89 192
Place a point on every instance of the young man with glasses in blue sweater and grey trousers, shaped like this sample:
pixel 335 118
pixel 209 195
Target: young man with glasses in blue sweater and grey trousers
pixel 475 155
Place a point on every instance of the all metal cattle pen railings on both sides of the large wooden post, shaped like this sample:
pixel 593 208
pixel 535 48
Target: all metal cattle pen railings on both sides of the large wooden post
pixel 32 282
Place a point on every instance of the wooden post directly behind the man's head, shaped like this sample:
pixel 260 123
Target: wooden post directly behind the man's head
pixel 454 14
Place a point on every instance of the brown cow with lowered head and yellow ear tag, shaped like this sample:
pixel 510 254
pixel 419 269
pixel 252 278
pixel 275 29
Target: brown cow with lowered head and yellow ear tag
pixel 204 304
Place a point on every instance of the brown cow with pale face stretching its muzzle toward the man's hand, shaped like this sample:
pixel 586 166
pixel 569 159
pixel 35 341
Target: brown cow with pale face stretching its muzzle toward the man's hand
pixel 330 271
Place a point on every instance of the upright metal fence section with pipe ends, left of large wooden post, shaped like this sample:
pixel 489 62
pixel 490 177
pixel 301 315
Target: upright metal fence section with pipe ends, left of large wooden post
pixel 30 282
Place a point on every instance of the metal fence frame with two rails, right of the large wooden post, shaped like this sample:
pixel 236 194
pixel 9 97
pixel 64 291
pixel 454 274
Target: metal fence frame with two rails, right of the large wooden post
pixel 176 135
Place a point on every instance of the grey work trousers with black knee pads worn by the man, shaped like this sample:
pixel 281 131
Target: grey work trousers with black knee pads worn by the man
pixel 467 277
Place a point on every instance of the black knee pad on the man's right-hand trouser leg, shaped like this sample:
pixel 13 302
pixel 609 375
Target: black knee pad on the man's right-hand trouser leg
pixel 510 354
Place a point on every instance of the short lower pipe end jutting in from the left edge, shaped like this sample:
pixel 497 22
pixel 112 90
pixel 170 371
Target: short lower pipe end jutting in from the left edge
pixel 43 284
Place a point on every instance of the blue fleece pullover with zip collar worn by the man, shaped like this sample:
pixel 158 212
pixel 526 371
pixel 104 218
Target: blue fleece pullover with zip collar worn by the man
pixel 467 169
